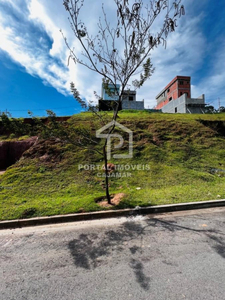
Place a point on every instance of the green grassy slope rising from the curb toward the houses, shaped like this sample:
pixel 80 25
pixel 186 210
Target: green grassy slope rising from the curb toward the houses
pixel 181 150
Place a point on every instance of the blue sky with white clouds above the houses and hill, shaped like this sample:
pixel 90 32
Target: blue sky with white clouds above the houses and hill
pixel 34 74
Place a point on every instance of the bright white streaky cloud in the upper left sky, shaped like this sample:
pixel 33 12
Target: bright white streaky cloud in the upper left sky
pixel 26 42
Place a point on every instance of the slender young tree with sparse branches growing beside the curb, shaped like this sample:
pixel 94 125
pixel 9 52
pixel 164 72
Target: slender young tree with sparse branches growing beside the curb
pixel 121 51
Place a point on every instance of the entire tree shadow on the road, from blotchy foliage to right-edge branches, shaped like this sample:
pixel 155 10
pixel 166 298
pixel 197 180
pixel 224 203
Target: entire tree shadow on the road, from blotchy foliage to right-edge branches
pixel 89 251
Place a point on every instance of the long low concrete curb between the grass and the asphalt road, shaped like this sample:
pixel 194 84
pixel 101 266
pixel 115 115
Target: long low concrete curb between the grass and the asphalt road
pixel 110 214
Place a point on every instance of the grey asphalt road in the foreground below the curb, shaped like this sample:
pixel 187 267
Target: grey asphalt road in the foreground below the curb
pixel 170 256
